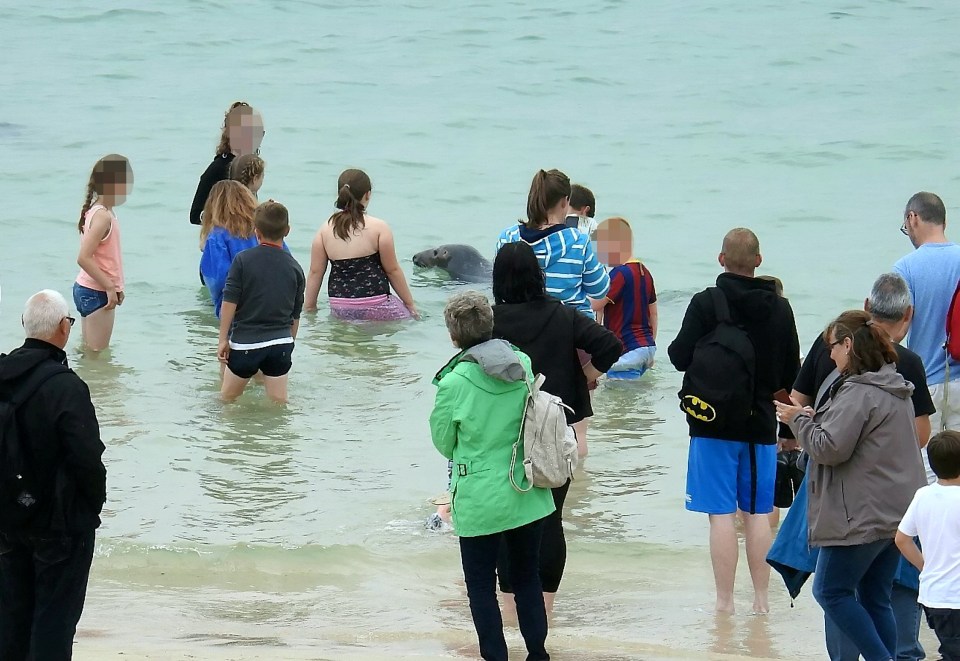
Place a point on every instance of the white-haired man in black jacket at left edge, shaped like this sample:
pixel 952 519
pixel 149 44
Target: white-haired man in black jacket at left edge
pixel 52 488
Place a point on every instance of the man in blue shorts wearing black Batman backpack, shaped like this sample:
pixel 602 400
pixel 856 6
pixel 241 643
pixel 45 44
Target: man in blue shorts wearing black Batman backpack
pixel 737 346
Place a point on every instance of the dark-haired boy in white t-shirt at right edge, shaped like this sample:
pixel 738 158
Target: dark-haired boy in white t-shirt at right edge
pixel 934 517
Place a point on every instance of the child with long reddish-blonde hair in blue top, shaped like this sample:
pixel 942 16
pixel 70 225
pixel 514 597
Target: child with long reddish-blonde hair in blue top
pixel 227 229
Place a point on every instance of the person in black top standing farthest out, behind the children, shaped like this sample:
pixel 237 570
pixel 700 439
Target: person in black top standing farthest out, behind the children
pixel 242 134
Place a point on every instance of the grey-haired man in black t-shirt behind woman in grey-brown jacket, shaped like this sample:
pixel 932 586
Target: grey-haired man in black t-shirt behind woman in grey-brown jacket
pixel 890 307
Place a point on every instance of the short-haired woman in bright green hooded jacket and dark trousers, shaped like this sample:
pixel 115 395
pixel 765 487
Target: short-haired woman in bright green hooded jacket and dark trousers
pixel 481 396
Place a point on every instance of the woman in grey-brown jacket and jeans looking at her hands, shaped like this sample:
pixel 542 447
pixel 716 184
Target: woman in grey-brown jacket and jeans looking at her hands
pixel 865 467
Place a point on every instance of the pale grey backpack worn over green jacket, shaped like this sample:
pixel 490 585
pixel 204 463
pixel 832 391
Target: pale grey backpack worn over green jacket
pixel 549 443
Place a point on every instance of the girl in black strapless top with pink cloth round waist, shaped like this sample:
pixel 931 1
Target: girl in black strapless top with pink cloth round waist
pixel 363 260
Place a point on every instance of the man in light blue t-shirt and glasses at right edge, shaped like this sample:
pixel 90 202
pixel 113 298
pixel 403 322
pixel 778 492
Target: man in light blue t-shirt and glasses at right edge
pixel 932 272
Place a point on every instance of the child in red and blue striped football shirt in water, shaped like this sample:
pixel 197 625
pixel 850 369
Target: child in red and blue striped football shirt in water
pixel 629 308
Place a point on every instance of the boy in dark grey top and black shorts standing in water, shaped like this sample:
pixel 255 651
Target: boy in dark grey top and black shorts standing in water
pixel 260 315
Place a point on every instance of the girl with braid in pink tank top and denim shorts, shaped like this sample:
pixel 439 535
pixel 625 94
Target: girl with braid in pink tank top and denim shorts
pixel 98 289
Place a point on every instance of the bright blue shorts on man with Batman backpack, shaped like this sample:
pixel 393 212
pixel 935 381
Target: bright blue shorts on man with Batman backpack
pixel 725 475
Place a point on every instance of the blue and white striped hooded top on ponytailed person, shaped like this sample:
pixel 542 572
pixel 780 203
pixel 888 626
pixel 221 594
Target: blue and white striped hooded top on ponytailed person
pixel 569 263
